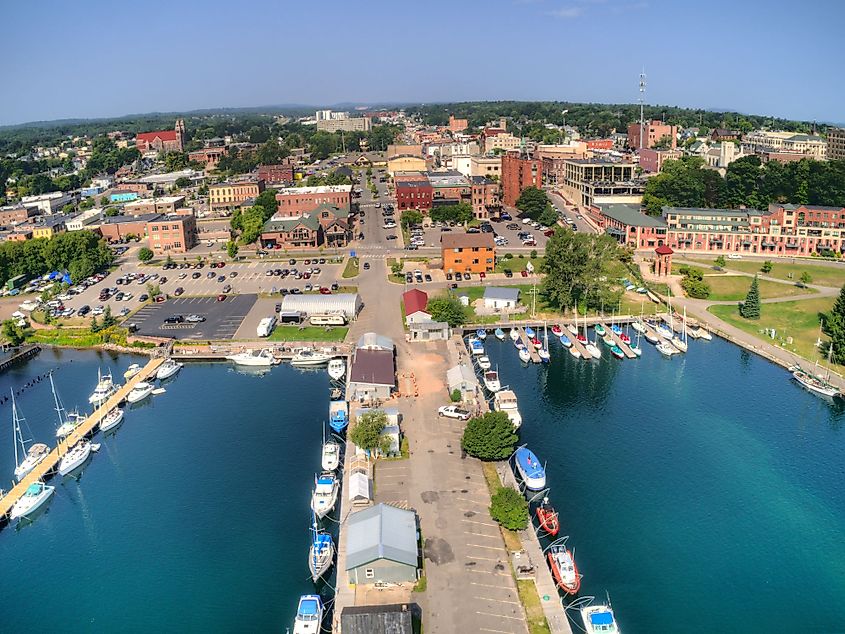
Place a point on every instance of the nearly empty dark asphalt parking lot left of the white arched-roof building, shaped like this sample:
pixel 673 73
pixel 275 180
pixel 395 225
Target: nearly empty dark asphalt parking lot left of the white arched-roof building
pixel 222 319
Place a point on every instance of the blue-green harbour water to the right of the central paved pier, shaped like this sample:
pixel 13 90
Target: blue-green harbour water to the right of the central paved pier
pixel 705 493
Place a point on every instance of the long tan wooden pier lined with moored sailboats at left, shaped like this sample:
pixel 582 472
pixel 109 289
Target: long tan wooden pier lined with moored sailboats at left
pixel 51 462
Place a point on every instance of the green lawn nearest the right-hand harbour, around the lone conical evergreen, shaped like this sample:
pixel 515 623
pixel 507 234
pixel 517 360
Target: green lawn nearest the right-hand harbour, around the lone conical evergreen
pixel 798 320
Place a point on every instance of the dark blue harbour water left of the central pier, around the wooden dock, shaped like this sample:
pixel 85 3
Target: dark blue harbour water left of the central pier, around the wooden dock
pixel 192 517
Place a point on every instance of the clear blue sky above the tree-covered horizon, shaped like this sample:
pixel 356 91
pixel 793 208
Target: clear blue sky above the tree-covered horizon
pixel 93 58
